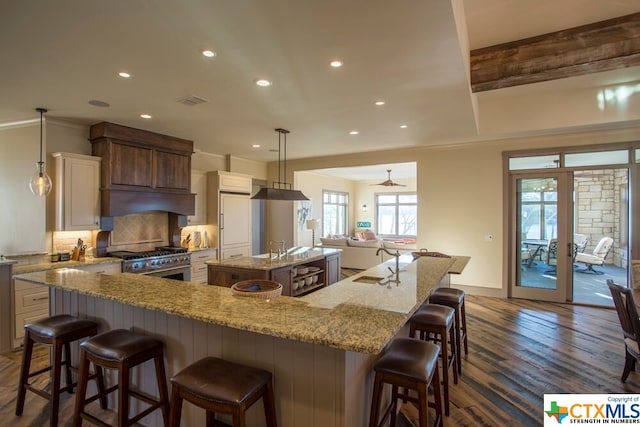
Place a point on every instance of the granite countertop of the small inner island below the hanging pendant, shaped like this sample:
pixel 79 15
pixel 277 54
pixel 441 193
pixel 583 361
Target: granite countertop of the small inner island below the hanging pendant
pixel 295 256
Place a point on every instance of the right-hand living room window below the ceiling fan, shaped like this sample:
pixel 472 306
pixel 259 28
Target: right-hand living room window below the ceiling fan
pixel 397 214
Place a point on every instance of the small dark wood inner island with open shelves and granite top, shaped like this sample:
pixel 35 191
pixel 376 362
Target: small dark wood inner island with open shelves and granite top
pixel 321 267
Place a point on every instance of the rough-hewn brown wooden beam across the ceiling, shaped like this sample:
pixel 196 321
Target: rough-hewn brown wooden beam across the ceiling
pixel 601 46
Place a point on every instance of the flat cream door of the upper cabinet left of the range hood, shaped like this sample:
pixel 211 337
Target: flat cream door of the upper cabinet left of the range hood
pixel 81 196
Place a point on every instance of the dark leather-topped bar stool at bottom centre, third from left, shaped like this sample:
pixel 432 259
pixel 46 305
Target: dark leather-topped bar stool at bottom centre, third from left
pixel 218 385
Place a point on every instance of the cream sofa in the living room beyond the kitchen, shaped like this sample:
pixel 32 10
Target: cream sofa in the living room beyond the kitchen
pixel 361 254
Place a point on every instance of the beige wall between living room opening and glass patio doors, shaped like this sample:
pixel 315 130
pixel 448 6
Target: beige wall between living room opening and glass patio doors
pixel 460 195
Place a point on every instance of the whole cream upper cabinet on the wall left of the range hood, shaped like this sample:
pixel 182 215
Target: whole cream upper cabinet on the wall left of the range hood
pixel 74 202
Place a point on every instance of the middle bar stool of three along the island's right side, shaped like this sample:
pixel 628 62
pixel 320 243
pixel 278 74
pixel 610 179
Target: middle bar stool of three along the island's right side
pixel 435 323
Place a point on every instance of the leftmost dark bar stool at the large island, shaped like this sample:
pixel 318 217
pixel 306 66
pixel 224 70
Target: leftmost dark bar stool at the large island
pixel 58 332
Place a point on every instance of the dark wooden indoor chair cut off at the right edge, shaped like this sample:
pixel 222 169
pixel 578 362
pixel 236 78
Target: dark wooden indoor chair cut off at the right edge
pixel 628 315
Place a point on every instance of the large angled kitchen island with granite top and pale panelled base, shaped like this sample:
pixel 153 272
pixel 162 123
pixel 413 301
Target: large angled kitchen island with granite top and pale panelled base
pixel 320 347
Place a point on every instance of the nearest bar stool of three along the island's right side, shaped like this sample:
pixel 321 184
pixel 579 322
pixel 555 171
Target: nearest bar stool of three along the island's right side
pixel 411 364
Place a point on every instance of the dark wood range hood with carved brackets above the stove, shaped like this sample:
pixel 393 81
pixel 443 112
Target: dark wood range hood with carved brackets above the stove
pixel 142 171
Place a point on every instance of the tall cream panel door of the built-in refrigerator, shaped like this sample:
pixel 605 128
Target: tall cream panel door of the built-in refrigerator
pixel 235 220
